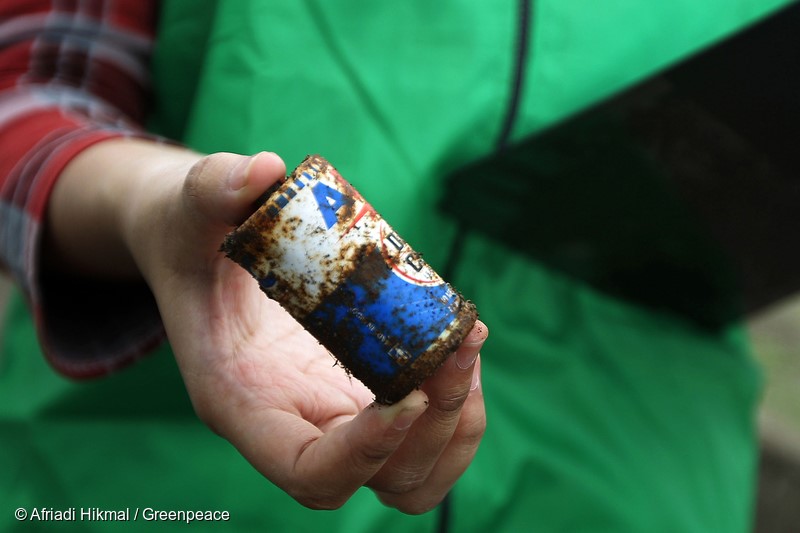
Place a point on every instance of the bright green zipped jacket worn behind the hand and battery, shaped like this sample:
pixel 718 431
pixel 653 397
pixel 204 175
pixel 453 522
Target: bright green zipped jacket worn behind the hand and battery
pixel 604 414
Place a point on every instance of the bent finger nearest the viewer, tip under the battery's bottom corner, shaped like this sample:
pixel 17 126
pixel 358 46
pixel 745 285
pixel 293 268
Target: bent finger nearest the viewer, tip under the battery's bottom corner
pixel 322 470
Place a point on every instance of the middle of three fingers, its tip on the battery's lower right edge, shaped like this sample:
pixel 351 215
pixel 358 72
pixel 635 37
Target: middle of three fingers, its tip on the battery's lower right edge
pixel 447 391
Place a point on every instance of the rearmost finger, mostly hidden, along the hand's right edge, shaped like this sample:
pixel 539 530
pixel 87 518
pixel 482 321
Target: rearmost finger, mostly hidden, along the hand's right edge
pixel 452 463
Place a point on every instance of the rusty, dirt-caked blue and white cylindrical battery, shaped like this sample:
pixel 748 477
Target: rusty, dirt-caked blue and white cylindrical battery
pixel 323 253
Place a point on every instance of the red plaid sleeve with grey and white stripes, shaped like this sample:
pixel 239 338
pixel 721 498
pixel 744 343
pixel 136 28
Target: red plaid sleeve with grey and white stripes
pixel 72 73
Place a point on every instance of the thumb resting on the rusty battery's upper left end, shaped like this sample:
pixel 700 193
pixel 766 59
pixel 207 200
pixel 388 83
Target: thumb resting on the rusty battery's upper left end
pixel 221 189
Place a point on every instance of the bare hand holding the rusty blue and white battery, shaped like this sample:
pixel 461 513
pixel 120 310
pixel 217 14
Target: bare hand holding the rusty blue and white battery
pixel 262 382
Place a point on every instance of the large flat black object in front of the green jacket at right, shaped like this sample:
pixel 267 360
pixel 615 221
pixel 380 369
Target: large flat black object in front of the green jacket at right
pixel 682 193
